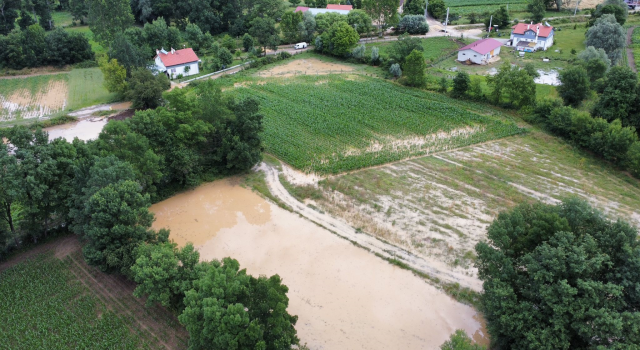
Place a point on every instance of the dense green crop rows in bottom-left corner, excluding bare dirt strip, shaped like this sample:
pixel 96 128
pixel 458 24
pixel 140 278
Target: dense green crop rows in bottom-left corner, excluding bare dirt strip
pixel 43 307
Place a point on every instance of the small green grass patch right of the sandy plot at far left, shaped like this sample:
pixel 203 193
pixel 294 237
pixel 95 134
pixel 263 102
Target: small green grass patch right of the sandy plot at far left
pixel 86 88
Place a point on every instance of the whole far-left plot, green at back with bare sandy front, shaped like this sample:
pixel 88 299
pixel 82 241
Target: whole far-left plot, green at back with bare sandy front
pixel 33 97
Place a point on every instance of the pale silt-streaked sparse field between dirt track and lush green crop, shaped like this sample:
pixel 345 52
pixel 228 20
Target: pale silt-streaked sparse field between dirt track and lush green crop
pixel 440 206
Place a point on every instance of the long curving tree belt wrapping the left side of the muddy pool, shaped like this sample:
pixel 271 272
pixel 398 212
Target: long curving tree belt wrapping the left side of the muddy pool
pixel 102 191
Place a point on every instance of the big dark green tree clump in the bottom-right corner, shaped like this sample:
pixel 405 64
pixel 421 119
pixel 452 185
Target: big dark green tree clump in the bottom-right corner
pixel 560 277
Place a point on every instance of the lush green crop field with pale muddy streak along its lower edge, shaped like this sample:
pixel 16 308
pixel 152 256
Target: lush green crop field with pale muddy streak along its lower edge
pixel 331 124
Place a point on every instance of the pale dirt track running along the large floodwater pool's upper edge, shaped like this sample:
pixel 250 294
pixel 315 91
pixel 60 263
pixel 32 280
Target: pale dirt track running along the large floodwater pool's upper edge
pixel 433 268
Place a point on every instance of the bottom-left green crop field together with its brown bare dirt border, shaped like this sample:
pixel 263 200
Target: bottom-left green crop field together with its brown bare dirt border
pixel 51 303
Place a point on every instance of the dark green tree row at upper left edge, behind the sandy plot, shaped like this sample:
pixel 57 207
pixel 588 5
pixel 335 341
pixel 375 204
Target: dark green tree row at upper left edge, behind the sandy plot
pixel 34 47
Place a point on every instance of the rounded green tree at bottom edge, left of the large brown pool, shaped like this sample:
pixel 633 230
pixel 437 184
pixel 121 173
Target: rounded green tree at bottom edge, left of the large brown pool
pixel 228 309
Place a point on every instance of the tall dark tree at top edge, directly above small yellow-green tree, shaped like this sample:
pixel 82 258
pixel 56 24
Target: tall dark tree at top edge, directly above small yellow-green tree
pixel 108 18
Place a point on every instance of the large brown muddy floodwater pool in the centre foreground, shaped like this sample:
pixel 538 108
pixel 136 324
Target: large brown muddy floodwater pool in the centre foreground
pixel 344 296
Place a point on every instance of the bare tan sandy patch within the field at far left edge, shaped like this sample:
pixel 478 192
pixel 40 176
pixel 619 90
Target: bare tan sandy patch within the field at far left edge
pixel 26 105
